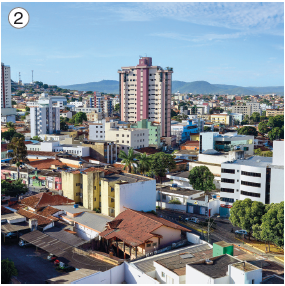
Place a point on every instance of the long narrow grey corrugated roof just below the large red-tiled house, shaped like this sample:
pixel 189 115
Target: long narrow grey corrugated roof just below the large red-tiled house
pixel 146 264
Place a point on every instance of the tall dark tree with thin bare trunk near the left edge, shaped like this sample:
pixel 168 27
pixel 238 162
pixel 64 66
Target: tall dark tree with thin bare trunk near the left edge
pixel 19 152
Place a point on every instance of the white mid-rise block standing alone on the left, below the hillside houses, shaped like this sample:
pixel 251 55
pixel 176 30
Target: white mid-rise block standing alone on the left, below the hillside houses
pixel 45 118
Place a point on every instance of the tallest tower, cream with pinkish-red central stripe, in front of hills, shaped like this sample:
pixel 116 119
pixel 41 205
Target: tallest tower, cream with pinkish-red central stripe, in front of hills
pixel 145 93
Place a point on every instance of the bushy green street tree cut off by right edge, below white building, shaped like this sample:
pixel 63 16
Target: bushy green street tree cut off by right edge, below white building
pixel 271 228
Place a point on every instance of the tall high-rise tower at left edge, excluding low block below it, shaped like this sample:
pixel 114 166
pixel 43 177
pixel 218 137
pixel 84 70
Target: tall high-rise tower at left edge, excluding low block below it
pixel 6 101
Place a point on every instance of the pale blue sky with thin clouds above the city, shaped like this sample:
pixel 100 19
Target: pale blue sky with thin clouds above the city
pixel 225 43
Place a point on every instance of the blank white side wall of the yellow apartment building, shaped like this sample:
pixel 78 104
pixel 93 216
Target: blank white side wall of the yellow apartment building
pixel 140 196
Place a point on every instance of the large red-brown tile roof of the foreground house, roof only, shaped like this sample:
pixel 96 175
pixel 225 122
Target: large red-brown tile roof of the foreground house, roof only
pixel 135 227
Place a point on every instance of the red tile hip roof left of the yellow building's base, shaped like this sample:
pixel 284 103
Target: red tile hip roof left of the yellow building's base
pixel 45 199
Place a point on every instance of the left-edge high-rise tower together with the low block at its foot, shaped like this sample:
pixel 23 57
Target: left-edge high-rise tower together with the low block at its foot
pixel 7 112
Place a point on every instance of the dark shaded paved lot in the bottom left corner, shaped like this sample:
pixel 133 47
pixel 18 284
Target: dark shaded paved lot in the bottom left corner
pixel 32 266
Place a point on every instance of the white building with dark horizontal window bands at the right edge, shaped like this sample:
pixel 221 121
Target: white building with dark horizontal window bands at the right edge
pixel 258 178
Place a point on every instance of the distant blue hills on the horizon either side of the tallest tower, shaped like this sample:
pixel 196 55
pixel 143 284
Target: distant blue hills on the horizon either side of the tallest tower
pixel 204 87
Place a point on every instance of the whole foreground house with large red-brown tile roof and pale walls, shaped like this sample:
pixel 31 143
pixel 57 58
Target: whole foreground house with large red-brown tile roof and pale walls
pixel 143 232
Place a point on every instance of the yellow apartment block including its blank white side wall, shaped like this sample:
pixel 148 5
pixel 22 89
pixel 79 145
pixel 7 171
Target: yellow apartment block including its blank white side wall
pixel 109 190
